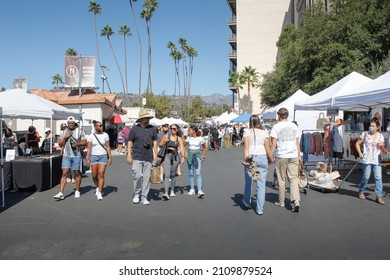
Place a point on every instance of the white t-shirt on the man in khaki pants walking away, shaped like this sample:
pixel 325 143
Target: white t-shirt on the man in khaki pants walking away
pixel 286 134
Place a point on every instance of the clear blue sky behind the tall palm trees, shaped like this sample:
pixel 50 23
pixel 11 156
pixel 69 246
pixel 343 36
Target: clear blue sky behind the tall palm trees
pixel 35 35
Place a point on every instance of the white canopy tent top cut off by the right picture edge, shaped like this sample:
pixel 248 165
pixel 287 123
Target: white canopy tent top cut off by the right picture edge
pixel 373 94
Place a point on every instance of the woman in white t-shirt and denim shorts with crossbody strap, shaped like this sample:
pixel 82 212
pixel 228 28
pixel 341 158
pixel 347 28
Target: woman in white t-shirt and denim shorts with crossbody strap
pixel 98 156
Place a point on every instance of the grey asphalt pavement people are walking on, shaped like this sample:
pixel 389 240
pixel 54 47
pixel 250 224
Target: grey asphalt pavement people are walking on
pixel 330 226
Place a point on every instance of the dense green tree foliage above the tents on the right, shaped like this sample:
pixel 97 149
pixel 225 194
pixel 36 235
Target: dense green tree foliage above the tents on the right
pixel 350 36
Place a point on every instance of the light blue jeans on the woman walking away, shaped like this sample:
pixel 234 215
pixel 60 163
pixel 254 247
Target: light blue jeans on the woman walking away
pixel 262 166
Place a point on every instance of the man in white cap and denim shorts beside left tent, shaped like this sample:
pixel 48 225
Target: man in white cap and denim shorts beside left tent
pixel 70 142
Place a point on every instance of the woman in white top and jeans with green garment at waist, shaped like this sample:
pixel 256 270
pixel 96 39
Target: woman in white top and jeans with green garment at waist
pixel 194 159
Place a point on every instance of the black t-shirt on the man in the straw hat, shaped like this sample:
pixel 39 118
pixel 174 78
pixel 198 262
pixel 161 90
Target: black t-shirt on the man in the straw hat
pixel 142 138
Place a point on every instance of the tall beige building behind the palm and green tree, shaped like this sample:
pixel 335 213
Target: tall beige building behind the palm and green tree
pixel 256 26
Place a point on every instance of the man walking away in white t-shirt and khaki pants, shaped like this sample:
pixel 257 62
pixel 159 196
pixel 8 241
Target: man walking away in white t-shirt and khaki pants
pixel 285 144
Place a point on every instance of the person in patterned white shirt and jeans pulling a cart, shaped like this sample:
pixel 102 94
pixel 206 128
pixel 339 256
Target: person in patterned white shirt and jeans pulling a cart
pixel 373 142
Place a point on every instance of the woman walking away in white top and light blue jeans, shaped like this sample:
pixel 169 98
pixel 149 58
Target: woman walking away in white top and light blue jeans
pixel 256 145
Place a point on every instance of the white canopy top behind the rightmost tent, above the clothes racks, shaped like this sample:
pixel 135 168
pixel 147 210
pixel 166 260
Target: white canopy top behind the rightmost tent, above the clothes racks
pixel 325 98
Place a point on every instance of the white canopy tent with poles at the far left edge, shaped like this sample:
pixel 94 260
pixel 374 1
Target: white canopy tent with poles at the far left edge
pixel 18 103
